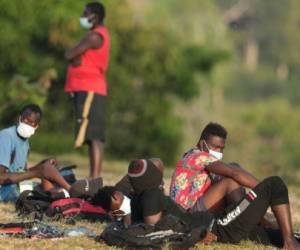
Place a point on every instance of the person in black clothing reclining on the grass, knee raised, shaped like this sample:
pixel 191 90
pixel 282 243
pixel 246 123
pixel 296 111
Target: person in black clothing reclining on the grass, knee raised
pixel 238 222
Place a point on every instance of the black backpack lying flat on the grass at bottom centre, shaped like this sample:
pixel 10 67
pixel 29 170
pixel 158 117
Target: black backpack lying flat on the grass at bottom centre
pixel 169 230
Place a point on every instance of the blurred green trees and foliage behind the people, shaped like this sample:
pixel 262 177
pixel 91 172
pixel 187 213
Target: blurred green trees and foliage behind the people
pixel 174 66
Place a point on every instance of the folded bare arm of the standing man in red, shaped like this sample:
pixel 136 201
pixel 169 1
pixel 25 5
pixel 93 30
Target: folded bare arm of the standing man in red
pixel 92 40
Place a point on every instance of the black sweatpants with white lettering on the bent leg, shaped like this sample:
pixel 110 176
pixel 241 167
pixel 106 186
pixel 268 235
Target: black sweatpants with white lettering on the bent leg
pixel 241 222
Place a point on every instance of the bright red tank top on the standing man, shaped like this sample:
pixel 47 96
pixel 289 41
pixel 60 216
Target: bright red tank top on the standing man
pixel 90 75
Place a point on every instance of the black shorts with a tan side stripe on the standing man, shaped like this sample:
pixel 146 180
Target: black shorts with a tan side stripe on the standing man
pixel 90 117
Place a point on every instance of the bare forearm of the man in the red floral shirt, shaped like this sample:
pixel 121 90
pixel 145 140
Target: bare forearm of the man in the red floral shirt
pixel 238 174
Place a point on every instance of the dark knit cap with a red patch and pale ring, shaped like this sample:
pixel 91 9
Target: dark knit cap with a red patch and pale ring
pixel 143 174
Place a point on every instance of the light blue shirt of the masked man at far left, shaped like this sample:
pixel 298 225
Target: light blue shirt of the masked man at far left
pixel 13 156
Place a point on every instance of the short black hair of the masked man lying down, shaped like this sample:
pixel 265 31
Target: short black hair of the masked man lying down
pixel 103 197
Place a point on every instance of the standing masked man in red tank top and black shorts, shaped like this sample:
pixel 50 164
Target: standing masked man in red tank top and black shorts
pixel 86 81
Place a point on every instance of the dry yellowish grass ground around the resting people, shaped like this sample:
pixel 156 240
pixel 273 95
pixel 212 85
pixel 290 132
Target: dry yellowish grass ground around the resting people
pixel 113 171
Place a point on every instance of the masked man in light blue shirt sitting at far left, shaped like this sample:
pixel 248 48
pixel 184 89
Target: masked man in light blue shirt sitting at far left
pixel 14 151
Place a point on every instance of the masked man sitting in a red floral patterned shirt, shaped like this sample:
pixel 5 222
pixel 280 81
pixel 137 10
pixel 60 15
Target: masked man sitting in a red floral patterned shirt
pixel 201 170
